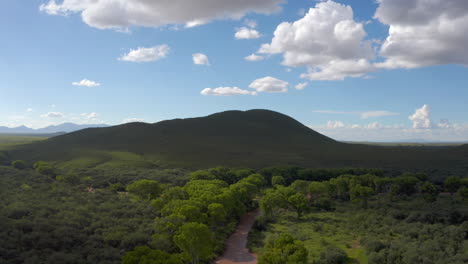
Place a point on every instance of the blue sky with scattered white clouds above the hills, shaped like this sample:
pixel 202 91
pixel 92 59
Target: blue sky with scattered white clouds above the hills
pixel 360 70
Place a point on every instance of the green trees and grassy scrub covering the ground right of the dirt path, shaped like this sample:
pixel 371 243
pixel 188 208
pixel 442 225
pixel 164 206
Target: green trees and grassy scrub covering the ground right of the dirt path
pixel 366 219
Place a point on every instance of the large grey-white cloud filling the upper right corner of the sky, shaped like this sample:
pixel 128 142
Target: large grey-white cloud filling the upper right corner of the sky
pixel 424 32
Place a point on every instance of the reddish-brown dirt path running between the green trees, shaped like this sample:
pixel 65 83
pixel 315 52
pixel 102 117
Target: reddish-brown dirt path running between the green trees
pixel 236 246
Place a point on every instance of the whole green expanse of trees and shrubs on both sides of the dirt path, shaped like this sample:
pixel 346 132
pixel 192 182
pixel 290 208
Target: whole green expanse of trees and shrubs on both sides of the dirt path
pixel 348 215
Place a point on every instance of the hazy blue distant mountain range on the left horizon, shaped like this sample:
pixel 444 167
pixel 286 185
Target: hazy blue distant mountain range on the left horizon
pixel 64 128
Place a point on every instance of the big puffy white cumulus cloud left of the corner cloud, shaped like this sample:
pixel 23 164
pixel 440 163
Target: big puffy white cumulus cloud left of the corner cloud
pixel 327 41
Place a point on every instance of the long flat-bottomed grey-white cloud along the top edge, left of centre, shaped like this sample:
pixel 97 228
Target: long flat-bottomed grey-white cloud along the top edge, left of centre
pixel 119 14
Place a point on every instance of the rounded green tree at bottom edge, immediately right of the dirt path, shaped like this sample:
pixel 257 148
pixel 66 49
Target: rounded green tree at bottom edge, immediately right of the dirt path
pixel 284 250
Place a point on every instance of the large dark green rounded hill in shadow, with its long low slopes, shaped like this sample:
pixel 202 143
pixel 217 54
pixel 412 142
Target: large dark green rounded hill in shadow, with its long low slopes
pixel 255 138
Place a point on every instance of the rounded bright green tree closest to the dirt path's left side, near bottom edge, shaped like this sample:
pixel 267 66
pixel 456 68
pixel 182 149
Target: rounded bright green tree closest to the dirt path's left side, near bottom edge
pixel 195 239
